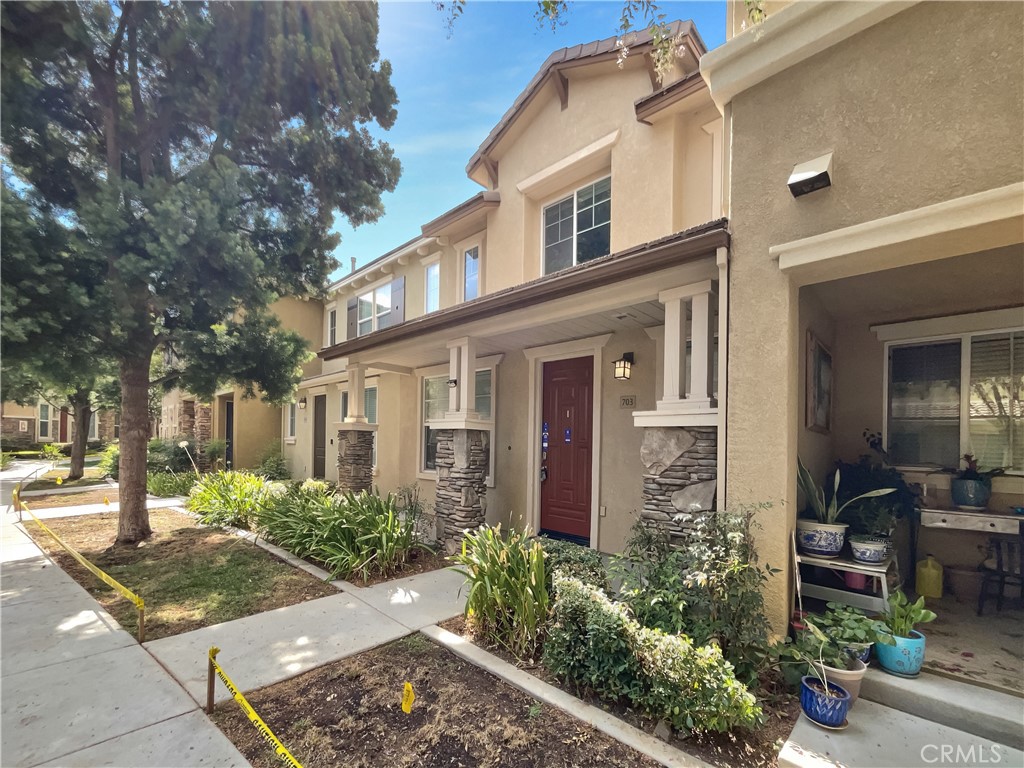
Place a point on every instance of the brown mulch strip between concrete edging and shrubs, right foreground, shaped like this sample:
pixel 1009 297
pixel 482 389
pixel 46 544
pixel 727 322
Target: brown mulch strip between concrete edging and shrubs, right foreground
pixel 748 749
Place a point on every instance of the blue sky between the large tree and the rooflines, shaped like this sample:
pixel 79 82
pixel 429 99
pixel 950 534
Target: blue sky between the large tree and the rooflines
pixel 453 91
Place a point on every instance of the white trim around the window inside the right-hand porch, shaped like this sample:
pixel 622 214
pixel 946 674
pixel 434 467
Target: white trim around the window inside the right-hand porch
pixel 901 340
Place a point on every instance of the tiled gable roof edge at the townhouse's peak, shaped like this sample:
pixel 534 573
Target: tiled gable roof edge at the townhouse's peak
pixel 575 57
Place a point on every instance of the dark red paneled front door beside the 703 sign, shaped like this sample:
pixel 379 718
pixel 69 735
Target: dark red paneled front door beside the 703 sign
pixel 568 412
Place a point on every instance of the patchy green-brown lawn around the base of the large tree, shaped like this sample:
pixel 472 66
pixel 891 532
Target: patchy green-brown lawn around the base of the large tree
pixel 189 577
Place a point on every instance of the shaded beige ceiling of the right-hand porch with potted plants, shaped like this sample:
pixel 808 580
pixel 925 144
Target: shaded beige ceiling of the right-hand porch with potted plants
pixel 989 280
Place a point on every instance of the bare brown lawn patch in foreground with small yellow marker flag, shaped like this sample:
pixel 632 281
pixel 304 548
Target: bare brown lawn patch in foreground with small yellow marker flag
pixel 350 714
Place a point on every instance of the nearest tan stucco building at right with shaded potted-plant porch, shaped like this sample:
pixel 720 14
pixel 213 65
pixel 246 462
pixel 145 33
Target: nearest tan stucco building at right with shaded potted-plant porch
pixel 909 269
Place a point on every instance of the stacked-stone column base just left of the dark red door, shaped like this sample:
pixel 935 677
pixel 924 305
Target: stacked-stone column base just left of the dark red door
pixel 461 494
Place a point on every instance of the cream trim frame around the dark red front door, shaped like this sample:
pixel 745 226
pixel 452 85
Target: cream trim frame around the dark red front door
pixel 537 357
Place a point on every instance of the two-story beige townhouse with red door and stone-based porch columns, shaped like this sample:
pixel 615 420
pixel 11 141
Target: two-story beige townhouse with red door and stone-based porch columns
pixel 545 354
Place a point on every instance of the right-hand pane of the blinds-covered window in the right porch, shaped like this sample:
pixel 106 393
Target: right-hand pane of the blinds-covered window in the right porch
pixel 997 423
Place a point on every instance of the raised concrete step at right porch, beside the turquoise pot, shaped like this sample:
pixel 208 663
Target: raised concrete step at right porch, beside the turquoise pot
pixel 979 711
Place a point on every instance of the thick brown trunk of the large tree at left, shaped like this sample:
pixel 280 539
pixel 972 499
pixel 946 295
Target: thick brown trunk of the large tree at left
pixel 134 524
